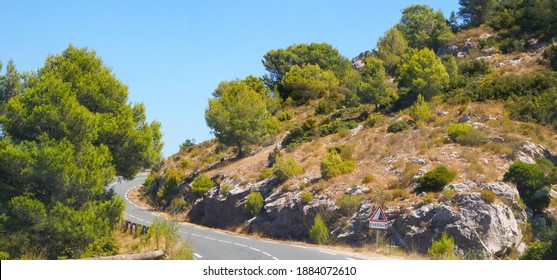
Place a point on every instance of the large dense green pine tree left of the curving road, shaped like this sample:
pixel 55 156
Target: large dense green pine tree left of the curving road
pixel 68 131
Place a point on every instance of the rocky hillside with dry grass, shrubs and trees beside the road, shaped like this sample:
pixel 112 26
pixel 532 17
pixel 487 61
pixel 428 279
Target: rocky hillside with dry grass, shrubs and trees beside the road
pixel 452 134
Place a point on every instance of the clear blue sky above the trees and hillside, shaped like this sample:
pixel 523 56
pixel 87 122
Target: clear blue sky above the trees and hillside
pixel 173 54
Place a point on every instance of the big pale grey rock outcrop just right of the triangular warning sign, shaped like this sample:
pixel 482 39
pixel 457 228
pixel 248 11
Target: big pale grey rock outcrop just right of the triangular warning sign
pixel 474 224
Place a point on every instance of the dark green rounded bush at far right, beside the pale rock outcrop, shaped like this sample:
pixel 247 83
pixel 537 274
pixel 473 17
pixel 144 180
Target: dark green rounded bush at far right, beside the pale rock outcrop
pixel 531 183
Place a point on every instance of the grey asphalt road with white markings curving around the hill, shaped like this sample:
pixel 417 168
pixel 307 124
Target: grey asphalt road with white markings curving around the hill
pixel 215 245
